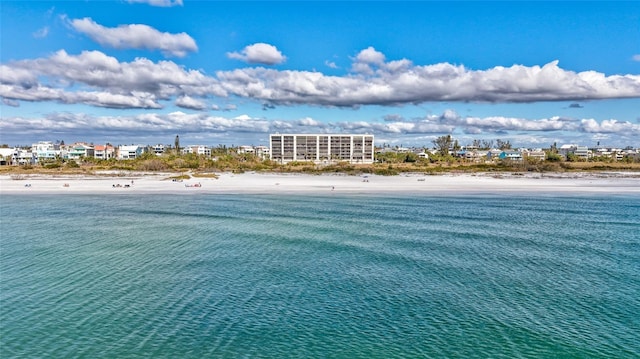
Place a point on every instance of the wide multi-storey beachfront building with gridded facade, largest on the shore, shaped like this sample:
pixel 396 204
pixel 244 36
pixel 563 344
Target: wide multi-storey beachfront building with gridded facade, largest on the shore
pixel 321 148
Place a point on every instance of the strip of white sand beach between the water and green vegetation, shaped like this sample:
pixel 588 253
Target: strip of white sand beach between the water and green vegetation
pixel 146 183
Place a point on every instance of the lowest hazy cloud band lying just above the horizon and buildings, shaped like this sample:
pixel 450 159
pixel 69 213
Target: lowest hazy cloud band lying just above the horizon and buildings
pixel 245 127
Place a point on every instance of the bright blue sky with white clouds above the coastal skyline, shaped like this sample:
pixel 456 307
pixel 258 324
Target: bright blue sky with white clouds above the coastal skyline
pixel 230 73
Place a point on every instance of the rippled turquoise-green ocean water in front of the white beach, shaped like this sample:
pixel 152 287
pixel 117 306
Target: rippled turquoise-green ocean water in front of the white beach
pixel 261 276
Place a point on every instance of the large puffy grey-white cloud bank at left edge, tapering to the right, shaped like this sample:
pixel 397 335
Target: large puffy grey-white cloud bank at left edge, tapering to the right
pixel 97 79
